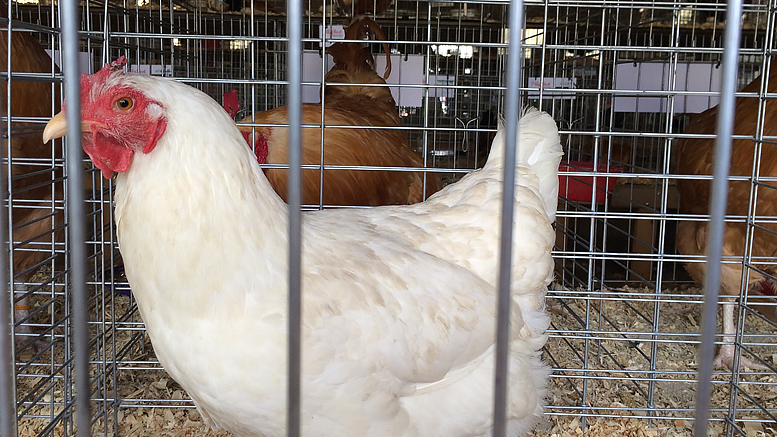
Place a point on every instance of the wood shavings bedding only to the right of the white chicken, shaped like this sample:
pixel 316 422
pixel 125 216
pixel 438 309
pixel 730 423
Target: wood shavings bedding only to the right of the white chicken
pixel 638 357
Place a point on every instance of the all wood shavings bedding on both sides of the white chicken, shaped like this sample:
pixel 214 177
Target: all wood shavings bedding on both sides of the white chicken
pixel 615 381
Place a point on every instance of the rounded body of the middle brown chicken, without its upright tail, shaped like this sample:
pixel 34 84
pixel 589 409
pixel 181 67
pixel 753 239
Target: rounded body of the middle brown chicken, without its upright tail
pixel 368 146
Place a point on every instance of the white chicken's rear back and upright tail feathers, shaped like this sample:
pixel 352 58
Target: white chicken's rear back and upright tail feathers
pixel 461 223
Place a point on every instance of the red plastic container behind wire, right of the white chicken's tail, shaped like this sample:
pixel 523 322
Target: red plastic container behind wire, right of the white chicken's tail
pixel 578 188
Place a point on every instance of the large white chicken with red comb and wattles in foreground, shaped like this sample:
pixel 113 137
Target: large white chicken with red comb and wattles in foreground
pixel 398 302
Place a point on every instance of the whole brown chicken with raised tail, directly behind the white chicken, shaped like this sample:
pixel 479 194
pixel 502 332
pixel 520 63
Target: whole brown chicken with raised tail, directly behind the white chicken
pixel 347 106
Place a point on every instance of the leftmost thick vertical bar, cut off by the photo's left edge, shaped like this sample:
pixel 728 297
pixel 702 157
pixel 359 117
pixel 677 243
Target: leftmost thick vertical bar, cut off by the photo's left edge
pixel 7 396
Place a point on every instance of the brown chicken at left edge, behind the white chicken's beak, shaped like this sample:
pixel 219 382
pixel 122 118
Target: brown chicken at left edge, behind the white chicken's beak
pixel 33 173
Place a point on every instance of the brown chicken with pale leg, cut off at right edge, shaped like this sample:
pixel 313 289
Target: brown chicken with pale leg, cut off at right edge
pixel 695 157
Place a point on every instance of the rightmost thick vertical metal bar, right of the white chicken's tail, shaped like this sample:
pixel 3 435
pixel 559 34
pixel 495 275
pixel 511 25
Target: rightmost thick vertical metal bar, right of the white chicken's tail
pixel 723 142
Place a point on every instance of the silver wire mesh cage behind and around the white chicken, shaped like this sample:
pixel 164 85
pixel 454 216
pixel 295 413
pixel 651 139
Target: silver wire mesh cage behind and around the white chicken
pixel 621 79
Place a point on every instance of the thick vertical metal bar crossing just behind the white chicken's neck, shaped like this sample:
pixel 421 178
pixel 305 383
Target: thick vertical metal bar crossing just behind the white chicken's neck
pixel 294 33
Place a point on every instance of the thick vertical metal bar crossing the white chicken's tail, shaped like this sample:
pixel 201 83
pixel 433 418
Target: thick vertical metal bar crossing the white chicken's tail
pixel 513 82
